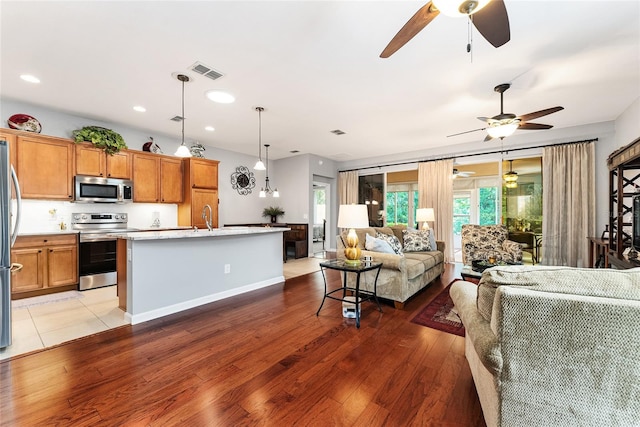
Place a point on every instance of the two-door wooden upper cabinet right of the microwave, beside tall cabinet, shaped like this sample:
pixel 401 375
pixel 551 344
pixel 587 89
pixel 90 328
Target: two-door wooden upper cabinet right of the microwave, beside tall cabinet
pixel 156 178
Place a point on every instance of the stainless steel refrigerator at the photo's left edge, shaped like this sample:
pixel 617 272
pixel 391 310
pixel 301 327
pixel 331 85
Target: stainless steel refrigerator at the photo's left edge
pixel 7 238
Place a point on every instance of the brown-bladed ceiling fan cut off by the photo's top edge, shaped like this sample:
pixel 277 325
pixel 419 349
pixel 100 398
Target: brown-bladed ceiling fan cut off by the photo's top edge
pixel 488 16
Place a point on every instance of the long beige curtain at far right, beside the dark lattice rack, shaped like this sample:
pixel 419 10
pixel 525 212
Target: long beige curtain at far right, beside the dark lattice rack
pixel 568 207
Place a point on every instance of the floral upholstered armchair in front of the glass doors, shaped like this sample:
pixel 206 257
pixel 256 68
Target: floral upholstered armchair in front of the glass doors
pixel 479 242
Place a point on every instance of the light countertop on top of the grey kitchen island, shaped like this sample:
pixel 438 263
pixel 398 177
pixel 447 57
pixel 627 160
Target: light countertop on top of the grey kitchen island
pixel 199 233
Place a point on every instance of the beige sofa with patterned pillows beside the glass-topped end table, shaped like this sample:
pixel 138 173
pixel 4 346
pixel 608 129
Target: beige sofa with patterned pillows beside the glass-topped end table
pixel 401 276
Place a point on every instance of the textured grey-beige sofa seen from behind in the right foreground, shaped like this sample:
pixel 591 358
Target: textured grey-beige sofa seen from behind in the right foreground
pixel 553 346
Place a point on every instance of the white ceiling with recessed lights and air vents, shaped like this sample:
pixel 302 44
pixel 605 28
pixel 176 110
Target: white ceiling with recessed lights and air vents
pixel 314 66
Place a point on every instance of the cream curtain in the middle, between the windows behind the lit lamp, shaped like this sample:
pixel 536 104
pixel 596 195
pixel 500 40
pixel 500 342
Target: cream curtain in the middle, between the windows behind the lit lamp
pixel 435 190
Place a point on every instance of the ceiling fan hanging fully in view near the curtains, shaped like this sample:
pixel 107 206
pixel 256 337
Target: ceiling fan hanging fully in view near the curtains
pixel 504 124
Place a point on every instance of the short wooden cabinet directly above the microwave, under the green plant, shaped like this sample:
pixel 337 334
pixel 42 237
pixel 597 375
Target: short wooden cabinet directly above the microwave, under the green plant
pixel 95 162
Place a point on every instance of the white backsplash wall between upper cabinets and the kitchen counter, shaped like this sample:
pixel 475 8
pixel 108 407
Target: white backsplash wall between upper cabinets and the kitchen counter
pixel 47 215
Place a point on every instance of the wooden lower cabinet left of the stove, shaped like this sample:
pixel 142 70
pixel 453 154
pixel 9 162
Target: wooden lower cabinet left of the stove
pixel 49 261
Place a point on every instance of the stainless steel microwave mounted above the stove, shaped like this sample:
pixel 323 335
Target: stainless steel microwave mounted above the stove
pixel 93 189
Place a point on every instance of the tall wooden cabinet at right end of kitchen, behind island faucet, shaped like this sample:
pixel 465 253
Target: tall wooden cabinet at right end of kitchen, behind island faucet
pixel 200 189
